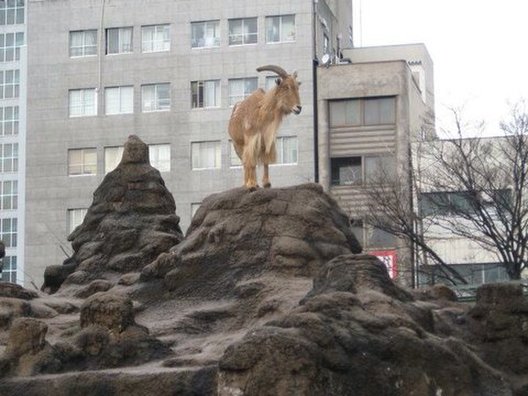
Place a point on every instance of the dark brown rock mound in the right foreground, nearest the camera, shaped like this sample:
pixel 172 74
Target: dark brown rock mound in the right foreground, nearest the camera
pixel 354 333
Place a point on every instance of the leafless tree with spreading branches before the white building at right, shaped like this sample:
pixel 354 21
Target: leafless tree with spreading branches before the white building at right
pixel 470 188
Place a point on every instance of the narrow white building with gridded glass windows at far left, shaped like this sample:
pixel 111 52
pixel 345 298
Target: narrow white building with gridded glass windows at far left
pixel 13 64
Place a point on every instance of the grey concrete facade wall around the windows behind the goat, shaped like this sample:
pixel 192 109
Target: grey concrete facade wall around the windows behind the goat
pixel 52 73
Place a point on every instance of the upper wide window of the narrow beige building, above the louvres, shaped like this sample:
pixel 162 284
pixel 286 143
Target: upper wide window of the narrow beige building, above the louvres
pixel 357 112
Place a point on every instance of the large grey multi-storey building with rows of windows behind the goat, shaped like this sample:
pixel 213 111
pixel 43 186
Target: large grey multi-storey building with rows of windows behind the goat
pixel 169 72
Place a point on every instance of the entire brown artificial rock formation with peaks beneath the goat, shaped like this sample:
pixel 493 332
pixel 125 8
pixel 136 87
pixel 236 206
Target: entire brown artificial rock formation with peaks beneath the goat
pixel 268 294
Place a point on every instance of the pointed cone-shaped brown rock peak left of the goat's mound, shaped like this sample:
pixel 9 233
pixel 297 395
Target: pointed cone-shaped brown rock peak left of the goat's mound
pixel 130 222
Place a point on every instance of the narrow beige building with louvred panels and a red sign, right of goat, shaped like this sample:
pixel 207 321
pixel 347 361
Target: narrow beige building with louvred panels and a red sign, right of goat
pixel 371 106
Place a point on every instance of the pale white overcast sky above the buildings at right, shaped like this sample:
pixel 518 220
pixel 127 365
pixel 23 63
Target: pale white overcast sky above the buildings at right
pixel 479 49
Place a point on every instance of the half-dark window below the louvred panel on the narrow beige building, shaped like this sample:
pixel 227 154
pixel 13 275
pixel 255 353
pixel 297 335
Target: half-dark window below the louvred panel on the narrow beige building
pixel 362 170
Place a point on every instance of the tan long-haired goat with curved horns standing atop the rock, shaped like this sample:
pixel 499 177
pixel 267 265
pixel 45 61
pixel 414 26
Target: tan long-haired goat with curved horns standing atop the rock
pixel 255 120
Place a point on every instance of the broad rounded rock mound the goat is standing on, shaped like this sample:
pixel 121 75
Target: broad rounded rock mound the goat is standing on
pixel 240 234
